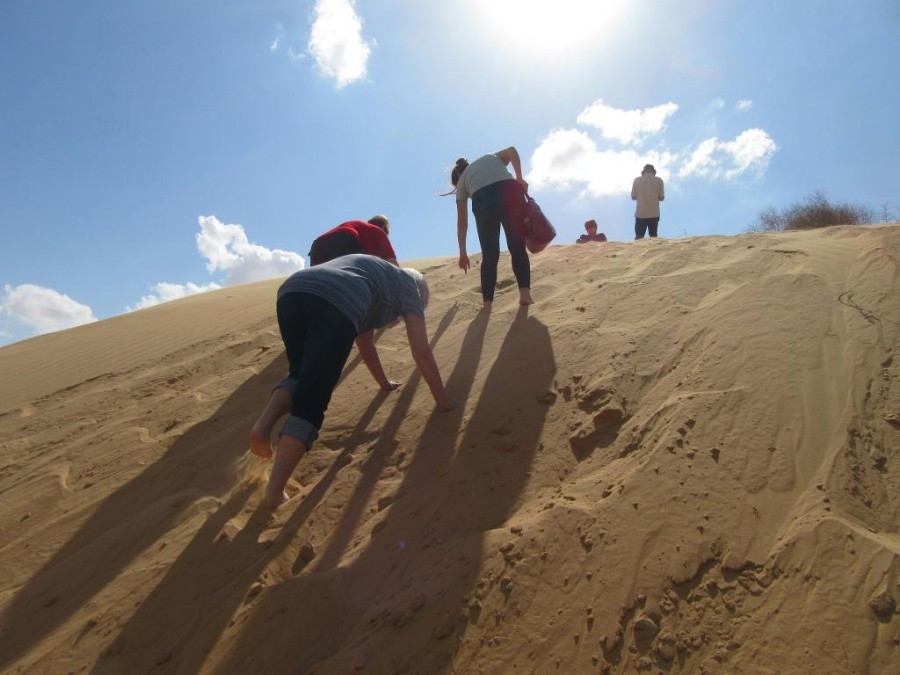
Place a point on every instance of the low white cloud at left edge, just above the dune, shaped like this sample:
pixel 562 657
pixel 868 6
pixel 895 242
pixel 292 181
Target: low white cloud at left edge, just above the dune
pixel 44 310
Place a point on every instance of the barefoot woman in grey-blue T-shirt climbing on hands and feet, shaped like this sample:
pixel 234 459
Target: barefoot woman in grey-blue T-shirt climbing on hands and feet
pixel 322 310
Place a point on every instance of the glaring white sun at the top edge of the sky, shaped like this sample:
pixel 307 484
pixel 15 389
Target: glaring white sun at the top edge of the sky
pixel 544 27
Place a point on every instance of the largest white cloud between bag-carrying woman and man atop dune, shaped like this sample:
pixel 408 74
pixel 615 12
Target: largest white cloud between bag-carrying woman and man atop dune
pixel 569 158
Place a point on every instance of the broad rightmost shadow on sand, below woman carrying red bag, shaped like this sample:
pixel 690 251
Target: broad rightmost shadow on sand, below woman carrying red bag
pixel 423 560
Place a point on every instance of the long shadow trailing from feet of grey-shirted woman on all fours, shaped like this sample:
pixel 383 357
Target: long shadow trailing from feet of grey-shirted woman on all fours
pixel 189 610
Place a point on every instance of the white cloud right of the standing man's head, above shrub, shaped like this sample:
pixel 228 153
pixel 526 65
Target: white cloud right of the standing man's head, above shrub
pixel 750 152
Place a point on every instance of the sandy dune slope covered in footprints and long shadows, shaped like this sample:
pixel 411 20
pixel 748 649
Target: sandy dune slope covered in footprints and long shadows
pixel 683 459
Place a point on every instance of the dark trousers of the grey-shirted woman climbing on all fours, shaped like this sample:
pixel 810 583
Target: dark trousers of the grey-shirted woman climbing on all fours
pixel 317 339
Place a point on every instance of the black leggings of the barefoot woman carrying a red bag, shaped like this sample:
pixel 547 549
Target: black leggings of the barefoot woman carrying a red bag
pixel 495 205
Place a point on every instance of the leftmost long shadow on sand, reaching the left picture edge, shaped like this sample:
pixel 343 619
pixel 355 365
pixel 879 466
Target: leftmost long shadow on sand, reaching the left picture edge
pixel 200 463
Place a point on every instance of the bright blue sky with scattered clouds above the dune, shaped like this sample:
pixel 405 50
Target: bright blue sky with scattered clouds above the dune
pixel 150 150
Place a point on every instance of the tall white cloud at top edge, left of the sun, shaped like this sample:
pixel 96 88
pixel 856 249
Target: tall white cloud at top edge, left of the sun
pixel 336 42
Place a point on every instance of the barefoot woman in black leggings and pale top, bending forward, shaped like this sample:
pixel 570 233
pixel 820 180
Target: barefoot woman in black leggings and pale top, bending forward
pixel 497 198
